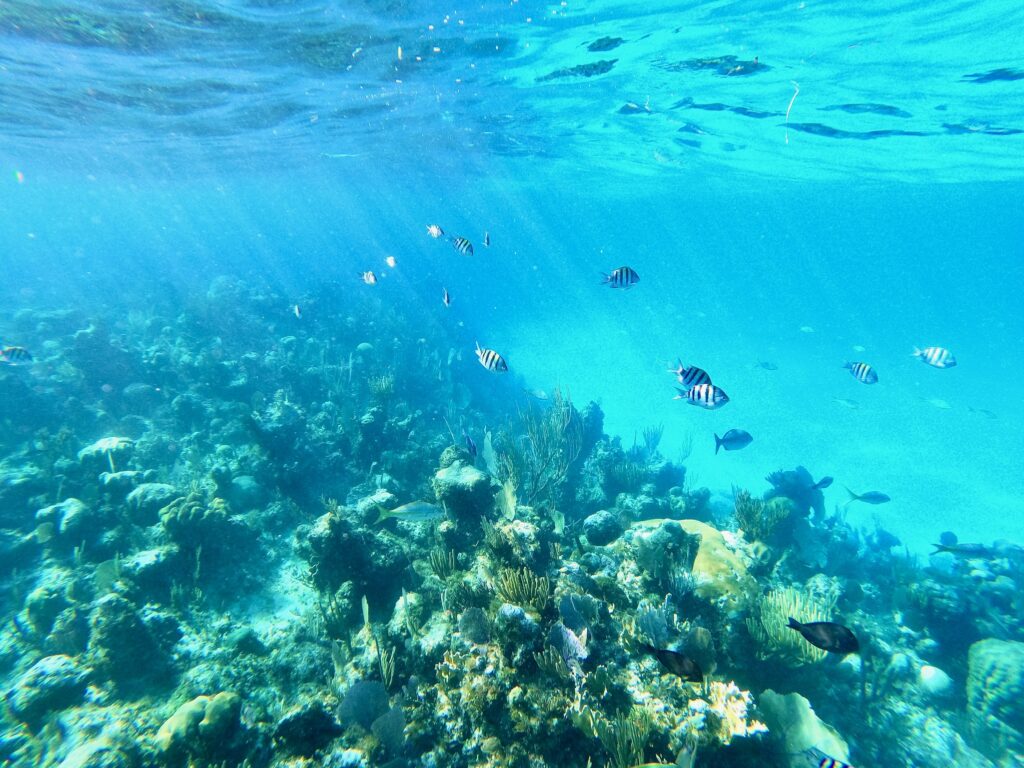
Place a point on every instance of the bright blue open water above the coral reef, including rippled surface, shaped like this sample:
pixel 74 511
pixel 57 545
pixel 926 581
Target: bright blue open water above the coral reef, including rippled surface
pixel 149 148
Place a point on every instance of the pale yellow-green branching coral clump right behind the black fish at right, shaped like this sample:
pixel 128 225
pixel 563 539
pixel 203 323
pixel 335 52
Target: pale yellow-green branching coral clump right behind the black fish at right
pixel 771 628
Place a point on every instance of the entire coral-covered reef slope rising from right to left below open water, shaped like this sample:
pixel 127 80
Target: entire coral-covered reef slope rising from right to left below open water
pixel 228 538
